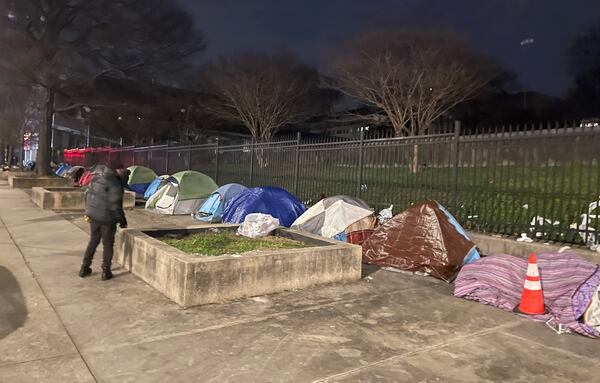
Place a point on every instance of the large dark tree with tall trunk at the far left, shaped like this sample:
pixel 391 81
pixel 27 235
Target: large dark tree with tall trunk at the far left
pixel 62 46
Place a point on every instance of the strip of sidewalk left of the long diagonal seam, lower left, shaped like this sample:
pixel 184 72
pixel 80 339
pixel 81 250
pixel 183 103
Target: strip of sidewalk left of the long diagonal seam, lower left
pixel 34 344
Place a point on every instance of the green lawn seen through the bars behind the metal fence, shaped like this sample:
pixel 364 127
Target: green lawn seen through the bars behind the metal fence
pixel 499 199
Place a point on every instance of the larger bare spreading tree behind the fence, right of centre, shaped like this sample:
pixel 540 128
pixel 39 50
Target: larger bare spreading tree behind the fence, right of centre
pixel 414 77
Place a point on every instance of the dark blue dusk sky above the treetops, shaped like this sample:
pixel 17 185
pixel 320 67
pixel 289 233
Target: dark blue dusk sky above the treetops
pixel 311 29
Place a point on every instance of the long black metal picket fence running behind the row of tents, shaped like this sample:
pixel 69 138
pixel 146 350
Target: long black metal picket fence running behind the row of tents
pixel 543 180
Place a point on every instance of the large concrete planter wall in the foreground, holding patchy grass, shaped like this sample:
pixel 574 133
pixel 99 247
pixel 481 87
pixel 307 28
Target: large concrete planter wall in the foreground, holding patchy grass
pixel 192 280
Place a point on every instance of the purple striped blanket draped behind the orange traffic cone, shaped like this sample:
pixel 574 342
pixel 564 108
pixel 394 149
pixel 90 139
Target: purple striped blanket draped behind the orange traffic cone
pixel 568 281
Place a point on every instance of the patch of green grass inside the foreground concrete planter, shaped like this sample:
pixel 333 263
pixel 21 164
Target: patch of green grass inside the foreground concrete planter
pixel 227 242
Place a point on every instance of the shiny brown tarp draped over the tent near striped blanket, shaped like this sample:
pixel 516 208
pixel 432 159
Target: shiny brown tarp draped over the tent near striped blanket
pixel 418 239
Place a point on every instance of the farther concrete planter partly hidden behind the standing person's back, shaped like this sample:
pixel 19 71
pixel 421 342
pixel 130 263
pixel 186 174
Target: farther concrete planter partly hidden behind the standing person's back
pixel 69 198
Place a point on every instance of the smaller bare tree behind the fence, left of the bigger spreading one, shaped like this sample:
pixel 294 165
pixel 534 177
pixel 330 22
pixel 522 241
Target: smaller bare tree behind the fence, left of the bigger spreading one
pixel 262 92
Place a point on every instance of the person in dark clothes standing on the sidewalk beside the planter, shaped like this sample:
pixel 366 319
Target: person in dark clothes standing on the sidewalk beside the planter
pixel 104 209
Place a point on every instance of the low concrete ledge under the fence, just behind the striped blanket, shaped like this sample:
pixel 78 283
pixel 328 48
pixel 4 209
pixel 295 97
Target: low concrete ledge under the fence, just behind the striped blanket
pixel 491 244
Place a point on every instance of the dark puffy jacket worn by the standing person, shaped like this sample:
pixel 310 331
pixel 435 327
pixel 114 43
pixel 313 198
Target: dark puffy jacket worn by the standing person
pixel 104 198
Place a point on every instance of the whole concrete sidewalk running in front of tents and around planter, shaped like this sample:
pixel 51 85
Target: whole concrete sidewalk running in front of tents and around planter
pixel 389 327
